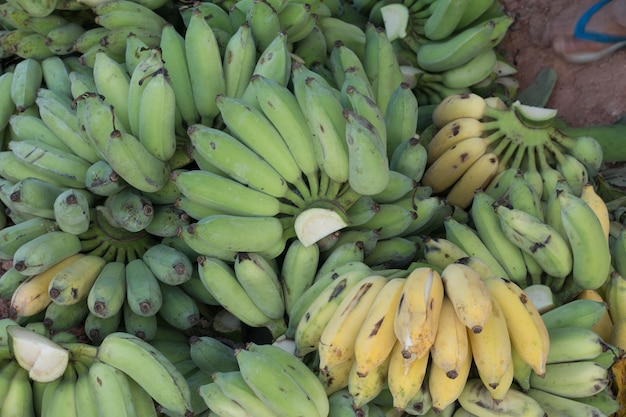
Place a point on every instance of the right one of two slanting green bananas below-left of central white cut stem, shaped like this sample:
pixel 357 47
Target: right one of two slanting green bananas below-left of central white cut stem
pixel 261 282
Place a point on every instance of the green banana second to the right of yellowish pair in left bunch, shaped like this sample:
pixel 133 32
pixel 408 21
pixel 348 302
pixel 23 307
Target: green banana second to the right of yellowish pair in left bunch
pixel 143 293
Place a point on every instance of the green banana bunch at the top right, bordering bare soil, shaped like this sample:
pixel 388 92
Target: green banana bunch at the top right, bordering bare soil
pixel 449 46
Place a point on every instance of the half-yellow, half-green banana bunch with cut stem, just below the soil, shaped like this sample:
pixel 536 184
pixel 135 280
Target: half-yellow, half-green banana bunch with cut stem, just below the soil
pixel 477 143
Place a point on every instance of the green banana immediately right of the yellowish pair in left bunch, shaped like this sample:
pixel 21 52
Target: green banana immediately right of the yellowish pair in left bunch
pixel 108 292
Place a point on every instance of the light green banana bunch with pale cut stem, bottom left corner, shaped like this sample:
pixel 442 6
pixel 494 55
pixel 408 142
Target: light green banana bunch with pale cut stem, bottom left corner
pixel 123 376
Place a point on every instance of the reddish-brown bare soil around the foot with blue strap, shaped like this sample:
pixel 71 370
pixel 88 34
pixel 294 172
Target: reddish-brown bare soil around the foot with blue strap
pixel 584 95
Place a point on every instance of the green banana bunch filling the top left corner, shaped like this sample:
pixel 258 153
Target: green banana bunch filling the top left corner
pixel 52 31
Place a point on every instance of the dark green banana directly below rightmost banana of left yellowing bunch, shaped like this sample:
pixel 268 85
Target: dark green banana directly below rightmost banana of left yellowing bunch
pixel 179 309
